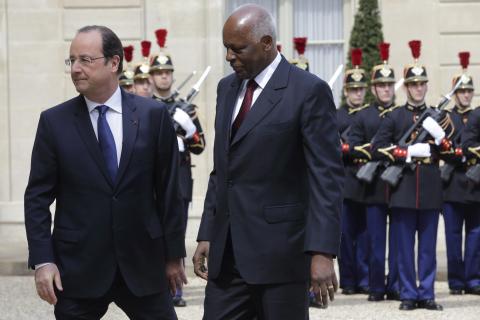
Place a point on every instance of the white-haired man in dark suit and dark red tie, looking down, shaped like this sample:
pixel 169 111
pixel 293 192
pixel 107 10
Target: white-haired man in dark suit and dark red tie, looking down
pixel 270 227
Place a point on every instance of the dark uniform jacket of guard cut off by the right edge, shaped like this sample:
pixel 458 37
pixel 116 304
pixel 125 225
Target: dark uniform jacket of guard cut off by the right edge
pixel 471 149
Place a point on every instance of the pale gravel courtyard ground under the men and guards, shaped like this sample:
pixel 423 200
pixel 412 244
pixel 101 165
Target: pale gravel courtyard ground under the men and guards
pixel 19 302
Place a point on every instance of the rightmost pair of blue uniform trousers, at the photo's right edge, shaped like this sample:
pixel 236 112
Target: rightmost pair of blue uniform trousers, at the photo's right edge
pixel 463 269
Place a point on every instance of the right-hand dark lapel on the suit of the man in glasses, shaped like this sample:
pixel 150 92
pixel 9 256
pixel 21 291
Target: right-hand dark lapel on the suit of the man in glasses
pixel 130 125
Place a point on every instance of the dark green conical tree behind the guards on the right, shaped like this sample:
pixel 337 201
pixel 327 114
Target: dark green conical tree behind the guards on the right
pixel 366 34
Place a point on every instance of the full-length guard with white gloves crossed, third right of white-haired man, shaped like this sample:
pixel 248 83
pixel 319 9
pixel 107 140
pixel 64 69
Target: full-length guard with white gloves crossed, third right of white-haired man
pixel 416 200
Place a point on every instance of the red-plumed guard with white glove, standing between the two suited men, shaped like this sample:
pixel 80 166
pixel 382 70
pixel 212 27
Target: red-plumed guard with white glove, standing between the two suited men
pixel 189 131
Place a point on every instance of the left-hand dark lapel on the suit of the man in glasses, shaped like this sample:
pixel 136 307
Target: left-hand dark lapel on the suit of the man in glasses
pixel 85 130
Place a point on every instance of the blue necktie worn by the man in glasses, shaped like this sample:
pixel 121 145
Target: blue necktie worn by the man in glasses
pixel 106 141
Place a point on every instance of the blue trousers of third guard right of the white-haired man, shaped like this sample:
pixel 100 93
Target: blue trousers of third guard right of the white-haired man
pixel 409 222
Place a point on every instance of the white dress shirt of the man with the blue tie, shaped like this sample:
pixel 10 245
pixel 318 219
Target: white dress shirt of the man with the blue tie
pixel 114 118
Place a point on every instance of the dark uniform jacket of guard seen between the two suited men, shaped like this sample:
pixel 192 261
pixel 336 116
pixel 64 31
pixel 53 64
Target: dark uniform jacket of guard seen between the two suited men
pixel 195 145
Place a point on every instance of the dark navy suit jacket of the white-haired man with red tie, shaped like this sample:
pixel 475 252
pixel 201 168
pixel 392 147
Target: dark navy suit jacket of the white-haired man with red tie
pixel 278 185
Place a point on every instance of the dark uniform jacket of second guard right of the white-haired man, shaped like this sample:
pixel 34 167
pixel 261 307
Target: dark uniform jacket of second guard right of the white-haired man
pixel 364 127
